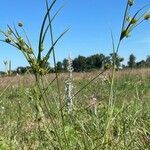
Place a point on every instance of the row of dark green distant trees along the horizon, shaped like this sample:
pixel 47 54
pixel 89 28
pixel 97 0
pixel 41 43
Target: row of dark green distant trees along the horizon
pixel 91 63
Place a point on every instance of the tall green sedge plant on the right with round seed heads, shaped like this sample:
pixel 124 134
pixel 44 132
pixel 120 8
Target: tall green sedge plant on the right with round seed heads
pixel 130 22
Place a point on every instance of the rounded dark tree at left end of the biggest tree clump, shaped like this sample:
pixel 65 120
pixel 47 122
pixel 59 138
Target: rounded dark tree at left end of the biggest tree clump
pixel 79 64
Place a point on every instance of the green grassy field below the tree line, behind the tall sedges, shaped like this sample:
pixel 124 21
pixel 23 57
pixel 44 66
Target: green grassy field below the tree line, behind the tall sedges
pixel 125 125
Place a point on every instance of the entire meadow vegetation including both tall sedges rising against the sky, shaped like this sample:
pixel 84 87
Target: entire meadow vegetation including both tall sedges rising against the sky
pixel 105 109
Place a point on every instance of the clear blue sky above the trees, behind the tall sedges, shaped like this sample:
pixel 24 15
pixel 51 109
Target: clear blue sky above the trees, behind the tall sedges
pixel 89 22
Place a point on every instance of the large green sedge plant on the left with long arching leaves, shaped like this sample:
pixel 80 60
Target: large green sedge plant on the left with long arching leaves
pixel 38 62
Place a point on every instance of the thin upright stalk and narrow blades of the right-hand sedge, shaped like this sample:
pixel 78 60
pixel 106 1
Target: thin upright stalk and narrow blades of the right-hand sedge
pixel 124 30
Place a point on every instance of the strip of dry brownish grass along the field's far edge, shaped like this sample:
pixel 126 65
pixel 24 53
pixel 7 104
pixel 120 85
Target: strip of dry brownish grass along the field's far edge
pixel 28 80
